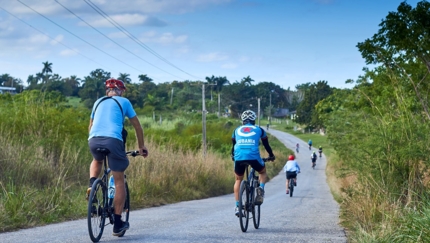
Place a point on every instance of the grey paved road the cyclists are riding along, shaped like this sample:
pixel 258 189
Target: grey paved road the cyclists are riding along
pixel 311 215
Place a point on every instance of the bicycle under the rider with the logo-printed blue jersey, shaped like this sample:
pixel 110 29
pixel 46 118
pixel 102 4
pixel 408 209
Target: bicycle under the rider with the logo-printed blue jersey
pixel 247 193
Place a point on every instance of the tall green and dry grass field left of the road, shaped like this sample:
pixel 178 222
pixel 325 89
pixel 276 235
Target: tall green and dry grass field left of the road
pixel 45 161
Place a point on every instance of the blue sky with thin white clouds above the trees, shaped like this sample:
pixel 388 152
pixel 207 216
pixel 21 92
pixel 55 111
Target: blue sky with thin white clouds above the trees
pixel 287 42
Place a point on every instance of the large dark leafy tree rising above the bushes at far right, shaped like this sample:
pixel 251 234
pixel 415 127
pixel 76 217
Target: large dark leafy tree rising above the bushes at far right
pixel 402 45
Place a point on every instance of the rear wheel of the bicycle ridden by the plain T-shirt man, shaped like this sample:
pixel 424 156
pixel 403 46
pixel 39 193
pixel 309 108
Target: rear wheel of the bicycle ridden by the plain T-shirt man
pixel 96 215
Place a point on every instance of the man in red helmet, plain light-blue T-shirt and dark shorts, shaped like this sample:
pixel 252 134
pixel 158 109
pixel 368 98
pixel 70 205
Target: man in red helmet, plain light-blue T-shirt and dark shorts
pixel 106 130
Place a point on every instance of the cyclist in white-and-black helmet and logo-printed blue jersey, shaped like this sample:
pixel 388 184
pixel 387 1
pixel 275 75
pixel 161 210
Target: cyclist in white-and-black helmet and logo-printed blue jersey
pixel 246 139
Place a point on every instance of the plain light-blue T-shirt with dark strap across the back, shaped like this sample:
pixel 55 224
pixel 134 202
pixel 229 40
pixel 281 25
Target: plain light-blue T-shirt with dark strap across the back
pixel 108 120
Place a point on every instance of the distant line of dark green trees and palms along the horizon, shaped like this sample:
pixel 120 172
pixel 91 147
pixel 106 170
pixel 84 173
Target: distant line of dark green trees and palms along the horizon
pixel 184 96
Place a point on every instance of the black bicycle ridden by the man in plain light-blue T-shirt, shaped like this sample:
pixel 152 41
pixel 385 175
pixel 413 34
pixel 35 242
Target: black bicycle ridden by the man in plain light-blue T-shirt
pixel 100 206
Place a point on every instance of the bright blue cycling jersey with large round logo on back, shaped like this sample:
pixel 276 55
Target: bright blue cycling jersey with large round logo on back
pixel 247 140
